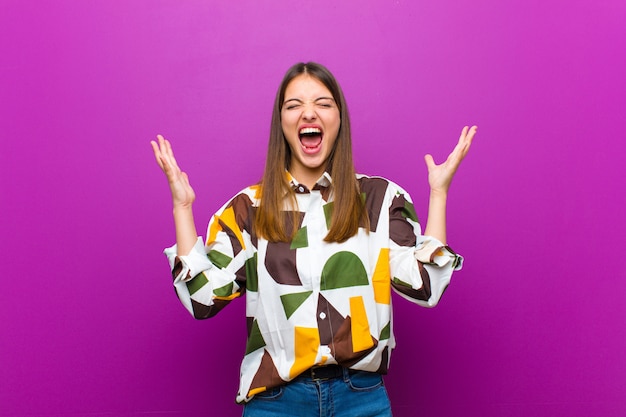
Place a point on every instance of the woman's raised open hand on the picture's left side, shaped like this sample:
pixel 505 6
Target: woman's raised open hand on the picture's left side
pixel 183 195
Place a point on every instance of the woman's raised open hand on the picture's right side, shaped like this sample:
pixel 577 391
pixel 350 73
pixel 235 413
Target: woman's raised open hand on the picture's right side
pixel 440 176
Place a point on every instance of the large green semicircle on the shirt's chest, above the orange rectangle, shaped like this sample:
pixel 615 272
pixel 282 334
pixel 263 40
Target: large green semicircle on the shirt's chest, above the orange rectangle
pixel 343 269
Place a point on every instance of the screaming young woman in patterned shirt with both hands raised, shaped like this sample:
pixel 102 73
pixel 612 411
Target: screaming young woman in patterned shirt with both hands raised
pixel 316 248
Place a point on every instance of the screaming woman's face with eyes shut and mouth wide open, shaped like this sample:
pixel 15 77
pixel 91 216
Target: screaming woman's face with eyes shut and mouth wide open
pixel 310 121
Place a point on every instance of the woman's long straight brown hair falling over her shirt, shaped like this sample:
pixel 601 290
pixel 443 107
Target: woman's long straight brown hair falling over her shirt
pixel 272 221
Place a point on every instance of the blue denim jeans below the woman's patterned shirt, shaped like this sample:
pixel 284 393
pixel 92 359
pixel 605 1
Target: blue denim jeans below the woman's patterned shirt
pixel 355 394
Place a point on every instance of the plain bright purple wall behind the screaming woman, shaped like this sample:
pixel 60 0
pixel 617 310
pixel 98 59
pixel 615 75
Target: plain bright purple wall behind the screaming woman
pixel 533 324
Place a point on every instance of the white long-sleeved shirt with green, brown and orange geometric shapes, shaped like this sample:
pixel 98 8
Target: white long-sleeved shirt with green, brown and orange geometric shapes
pixel 310 302
